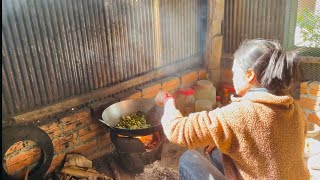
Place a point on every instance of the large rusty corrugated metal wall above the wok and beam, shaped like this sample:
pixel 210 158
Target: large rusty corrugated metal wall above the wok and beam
pixel 55 49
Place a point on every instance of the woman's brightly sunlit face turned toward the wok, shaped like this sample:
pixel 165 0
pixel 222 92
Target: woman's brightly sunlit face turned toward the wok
pixel 240 80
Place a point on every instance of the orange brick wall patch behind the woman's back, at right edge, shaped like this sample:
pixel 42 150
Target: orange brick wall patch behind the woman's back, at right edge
pixel 310 100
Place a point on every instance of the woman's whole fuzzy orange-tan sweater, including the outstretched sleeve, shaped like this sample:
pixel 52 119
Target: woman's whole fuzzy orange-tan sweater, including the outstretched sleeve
pixel 261 135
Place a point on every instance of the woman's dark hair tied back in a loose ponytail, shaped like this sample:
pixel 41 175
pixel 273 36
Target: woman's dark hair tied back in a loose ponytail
pixel 275 69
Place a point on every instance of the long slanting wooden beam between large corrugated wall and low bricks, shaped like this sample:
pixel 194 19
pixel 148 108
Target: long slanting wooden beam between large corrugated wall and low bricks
pixel 44 112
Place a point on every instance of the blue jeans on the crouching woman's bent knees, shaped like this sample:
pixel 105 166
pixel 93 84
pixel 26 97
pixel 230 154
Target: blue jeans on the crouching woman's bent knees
pixel 194 166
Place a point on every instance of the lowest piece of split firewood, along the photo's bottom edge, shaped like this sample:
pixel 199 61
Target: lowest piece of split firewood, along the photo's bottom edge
pixel 83 172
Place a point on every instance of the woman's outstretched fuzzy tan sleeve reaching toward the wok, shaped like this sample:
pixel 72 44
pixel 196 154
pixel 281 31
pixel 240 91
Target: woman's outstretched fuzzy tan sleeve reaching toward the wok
pixel 198 129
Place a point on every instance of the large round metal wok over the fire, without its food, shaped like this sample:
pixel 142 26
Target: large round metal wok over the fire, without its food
pixel 112 115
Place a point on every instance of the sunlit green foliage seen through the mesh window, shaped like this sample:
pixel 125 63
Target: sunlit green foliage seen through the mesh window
pixel 309 23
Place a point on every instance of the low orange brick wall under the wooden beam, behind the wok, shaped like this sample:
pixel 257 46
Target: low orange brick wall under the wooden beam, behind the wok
pixel 81 133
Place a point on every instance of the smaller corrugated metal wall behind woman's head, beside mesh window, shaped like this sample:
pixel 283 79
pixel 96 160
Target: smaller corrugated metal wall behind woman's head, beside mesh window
pixel 248 19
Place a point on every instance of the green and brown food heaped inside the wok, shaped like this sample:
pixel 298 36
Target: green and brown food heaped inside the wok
pixel 134 121
